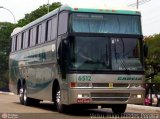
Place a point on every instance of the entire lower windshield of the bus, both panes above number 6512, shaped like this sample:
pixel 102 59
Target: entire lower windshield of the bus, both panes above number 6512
pixel 105 53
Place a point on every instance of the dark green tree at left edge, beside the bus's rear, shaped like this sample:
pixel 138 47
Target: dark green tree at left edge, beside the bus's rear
pixel 5 31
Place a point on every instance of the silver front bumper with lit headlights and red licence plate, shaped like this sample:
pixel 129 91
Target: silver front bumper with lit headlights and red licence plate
pixel 106 96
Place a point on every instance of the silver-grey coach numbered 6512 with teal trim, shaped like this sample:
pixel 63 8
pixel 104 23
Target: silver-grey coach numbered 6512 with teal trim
pixel 85 57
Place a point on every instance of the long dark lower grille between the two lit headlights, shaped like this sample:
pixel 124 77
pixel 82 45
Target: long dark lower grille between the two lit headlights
pixel 110 96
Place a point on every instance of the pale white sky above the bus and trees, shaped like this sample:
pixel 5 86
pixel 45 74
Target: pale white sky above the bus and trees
pixel 149 10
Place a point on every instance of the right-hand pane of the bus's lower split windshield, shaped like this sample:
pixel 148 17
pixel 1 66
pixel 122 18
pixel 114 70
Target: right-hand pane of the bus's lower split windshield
pixel 126 54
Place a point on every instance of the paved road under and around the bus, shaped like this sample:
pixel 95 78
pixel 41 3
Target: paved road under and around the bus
pixel 10 108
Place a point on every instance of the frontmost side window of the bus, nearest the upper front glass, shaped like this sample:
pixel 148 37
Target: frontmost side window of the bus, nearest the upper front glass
pixel 63 23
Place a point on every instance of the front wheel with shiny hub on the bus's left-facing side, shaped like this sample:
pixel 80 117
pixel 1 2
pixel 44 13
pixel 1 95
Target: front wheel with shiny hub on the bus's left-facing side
pixel 60 107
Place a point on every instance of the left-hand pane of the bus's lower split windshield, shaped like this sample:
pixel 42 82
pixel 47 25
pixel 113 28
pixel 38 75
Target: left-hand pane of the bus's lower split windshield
pixel 89 53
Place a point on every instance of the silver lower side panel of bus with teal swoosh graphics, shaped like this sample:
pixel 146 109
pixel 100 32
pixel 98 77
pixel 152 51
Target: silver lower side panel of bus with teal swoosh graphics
pixel 38 67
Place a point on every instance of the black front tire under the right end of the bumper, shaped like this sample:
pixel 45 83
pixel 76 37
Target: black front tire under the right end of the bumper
pixel 119 108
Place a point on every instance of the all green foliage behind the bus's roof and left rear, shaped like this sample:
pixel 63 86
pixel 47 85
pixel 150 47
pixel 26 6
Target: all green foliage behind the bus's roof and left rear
pixel 5 42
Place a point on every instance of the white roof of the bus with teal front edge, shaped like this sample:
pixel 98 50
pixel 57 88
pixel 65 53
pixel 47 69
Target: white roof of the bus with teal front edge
pixel 111 10
